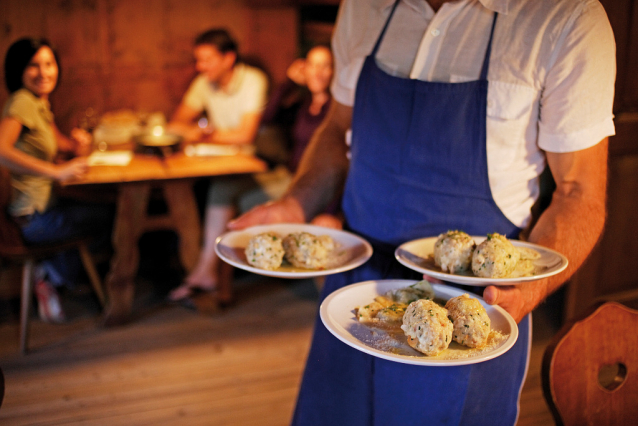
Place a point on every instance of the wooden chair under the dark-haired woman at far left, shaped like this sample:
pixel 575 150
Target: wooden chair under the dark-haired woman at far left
pixel 13 249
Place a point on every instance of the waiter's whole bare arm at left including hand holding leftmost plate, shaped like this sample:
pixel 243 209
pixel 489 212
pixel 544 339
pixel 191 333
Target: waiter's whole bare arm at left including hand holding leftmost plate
pixel 320 177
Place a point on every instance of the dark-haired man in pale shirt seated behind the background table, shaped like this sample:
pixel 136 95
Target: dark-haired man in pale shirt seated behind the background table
pixel 232 95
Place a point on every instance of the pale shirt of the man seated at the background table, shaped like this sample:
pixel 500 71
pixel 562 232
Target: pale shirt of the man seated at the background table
pixel 246 93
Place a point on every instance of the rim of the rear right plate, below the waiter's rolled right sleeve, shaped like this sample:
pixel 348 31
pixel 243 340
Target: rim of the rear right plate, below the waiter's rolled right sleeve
pixel 480 281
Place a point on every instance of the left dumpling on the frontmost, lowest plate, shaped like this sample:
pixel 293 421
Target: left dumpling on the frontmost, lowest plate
pixel 427 327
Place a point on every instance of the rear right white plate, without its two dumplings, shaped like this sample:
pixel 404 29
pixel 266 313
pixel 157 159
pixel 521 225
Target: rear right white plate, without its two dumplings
pixel 418 255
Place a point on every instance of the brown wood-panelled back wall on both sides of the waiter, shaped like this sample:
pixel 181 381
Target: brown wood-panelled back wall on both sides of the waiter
pixel 138 55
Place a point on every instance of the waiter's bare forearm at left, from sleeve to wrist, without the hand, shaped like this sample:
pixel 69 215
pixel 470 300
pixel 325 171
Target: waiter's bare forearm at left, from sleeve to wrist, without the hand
pixel 324 166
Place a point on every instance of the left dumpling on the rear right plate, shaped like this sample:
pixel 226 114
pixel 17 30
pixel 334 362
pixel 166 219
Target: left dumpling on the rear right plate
pixel 453 251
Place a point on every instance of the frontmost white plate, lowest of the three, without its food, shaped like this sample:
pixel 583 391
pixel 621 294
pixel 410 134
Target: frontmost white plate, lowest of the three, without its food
pixel 337 314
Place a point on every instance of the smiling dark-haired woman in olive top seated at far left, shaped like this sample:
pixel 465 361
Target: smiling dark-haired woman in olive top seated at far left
pixel 30 147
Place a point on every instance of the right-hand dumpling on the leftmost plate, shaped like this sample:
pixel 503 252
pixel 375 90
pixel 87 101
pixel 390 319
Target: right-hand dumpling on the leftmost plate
pixel 305 250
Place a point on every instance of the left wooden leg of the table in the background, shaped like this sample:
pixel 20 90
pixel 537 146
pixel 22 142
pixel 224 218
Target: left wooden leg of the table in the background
pixel 129 224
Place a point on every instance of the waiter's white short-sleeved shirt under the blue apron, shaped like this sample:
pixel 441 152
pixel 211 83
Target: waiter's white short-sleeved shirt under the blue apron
pixel 551 74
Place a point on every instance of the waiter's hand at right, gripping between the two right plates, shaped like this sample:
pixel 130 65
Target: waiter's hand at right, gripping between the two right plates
pixel 518 300
